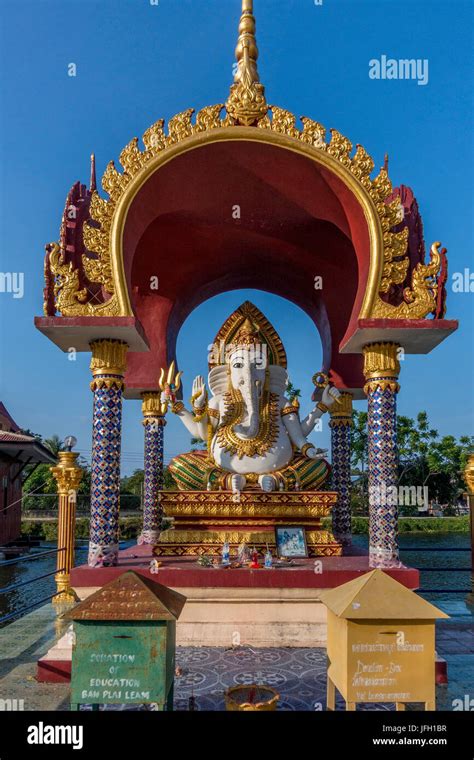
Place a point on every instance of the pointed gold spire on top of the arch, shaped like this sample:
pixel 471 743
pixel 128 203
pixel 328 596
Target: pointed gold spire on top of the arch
pixel 246 103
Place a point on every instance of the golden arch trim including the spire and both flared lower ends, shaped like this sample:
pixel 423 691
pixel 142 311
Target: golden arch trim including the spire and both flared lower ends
pixel 247 117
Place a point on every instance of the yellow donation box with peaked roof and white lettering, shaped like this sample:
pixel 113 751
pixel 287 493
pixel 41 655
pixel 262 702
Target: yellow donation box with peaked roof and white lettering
pixel 381 643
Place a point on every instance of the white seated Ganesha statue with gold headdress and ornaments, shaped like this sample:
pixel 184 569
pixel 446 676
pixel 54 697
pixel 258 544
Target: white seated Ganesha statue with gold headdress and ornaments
pixel 252 430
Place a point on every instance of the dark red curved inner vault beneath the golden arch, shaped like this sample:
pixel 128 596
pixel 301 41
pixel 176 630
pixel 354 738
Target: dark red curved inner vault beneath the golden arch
pixel 241 213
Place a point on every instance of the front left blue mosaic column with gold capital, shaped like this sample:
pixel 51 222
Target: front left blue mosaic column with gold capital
pixel 108 369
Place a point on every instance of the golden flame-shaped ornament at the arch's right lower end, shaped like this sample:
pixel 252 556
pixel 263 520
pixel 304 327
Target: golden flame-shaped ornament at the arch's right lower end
pixel 420 298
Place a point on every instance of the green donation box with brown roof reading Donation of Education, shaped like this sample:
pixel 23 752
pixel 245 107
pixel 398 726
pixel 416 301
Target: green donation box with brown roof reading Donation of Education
pixel 124 644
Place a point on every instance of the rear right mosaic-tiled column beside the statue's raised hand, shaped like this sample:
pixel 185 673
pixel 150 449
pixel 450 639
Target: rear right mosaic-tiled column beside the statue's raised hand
pixel 341 435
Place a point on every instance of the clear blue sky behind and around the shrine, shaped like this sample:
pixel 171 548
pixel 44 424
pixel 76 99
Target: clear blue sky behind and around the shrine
pixel 137 62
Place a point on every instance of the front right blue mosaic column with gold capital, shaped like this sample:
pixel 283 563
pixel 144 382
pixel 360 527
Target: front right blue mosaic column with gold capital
pixel 381 369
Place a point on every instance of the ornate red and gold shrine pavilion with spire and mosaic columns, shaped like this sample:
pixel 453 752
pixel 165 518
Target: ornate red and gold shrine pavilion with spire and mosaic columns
pixel 173 194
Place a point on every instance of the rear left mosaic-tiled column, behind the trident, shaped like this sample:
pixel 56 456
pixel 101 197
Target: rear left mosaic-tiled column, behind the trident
pixel 154 423
